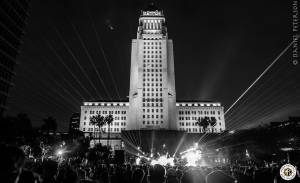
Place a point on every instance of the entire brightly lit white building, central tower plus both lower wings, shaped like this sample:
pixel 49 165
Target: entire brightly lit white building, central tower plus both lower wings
pixel 152 96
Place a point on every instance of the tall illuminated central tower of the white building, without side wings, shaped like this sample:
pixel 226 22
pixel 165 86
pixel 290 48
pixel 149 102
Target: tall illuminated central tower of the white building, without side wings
pixel 152 96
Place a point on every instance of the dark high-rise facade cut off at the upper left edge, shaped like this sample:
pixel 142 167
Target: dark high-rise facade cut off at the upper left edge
pixel 13 15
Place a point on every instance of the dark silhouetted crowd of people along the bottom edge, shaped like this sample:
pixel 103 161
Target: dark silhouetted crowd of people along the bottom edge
pixel 16 168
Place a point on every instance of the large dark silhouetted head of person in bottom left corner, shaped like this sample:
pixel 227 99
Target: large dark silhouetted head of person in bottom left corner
pixel 11 163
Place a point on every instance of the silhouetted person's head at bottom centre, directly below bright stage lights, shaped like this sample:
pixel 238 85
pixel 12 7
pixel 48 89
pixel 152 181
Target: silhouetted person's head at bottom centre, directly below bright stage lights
pixel 156 174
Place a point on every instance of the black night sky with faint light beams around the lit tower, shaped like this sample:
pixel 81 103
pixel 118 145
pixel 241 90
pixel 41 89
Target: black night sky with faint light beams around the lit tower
pixel 220 48
